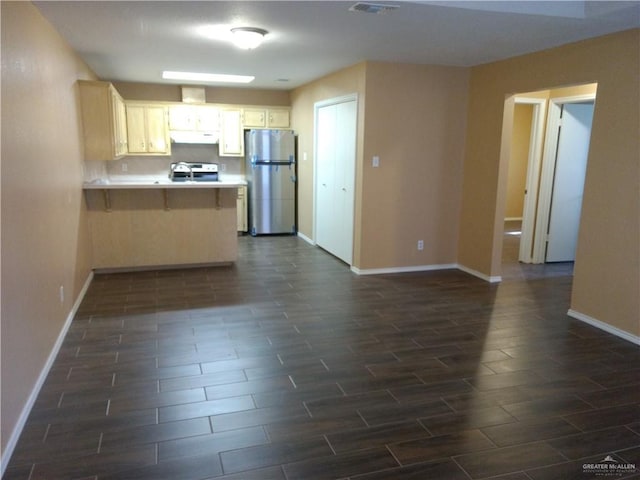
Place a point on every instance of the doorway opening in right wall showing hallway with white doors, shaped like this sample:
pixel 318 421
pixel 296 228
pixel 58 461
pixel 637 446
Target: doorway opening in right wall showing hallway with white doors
pixel 549 143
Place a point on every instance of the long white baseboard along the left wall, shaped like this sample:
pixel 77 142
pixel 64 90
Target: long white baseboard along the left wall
pixel 26 410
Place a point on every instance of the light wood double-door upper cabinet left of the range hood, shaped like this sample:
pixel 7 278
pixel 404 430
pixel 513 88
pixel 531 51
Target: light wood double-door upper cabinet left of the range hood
pixel 147 129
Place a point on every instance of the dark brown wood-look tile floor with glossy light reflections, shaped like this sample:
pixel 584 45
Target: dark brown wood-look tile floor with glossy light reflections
pixel 287 366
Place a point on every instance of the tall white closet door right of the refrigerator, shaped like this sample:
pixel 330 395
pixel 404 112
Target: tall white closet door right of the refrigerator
pixel 336 123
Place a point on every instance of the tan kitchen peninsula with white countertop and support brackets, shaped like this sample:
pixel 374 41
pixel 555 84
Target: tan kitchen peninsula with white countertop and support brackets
pixel 152 222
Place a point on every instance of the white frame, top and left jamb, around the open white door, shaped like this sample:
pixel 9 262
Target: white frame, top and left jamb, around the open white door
pixel 548 171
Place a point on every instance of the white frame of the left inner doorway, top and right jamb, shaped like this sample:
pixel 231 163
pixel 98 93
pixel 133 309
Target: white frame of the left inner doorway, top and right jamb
pixel 533 175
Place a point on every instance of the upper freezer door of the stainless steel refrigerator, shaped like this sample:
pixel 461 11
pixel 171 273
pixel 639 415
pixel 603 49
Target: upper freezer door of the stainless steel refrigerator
pixel 276 146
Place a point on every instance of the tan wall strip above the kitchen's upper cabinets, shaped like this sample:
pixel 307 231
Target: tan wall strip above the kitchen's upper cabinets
pixel 173 93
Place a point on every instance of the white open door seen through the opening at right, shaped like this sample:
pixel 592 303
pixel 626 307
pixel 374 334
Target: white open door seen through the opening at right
pixel 568 181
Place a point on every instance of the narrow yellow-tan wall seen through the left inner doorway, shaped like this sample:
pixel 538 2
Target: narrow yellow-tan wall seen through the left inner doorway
pixel 519 158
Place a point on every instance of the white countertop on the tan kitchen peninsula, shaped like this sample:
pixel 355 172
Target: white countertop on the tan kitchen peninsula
pixel 144 182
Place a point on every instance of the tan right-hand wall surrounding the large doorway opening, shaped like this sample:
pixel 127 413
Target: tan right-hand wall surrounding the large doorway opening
pixel 606 279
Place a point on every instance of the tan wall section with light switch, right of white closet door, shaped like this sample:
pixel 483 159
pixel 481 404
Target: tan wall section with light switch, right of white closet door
pixel 415 119
